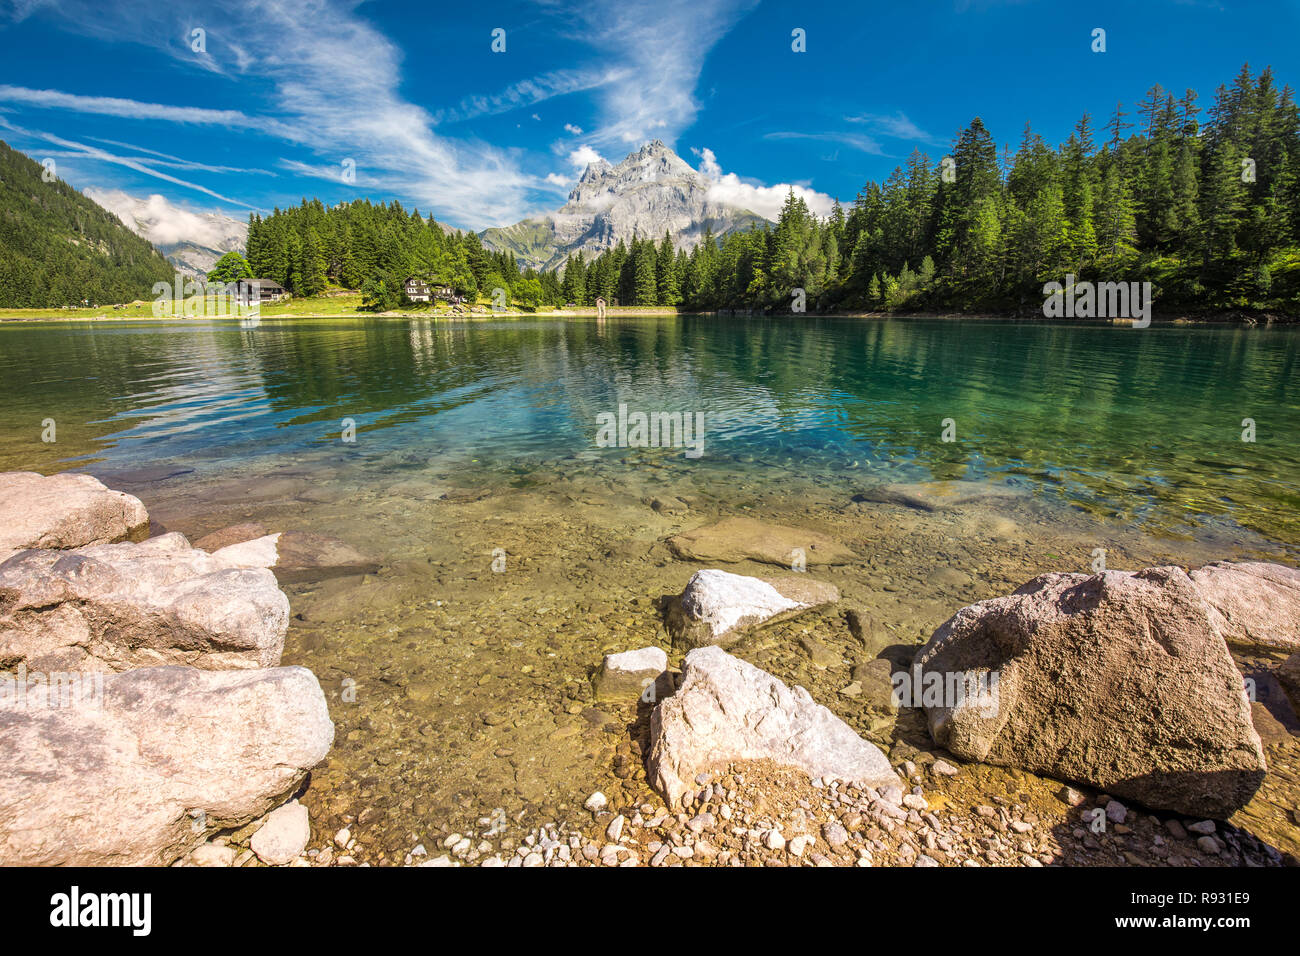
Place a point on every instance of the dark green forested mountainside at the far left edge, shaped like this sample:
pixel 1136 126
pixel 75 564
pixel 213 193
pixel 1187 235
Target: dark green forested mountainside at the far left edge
pixel 60 249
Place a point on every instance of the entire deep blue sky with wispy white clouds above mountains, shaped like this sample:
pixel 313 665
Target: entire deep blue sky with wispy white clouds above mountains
pixel 287 92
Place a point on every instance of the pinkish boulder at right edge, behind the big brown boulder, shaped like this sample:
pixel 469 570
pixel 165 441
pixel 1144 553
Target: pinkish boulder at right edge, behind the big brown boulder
pixel 1254 603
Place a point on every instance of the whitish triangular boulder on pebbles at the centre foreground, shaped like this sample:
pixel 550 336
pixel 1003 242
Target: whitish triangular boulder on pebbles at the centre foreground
pixel 729 710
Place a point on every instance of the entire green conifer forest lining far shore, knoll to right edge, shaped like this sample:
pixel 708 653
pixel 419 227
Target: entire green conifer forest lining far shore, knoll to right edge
pixel 1202 202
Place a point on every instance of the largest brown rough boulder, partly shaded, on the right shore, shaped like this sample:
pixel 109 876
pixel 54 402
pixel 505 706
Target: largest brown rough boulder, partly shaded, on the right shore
pixel 1120 681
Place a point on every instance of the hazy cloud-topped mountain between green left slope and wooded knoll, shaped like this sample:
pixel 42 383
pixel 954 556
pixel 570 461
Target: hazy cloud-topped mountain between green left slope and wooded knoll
pixel 192 241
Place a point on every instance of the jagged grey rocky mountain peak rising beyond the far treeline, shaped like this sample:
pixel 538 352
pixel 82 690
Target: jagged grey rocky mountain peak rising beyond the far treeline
pixel 651 192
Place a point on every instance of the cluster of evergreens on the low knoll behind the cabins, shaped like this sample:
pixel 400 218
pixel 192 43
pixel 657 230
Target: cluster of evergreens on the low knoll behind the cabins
pixel 376 248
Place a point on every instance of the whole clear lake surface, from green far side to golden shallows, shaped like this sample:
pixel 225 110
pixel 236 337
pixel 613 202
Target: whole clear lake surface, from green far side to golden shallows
pixel 479 439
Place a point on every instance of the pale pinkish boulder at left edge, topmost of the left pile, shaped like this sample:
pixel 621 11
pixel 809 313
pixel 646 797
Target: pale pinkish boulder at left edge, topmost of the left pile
pixel 64 512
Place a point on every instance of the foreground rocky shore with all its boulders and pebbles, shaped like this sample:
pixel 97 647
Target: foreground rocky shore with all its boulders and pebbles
pixel 735 768
